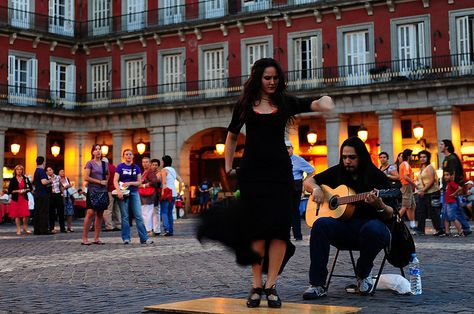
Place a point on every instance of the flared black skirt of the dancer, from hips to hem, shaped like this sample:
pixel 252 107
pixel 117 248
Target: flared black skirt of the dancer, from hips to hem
pixel 263 212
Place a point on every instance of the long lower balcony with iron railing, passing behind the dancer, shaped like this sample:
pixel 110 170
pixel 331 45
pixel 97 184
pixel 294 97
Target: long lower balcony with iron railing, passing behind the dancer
pixel 387 73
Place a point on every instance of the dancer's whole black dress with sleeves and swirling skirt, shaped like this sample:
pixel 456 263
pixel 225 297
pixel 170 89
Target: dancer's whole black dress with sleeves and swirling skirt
pixel 265 177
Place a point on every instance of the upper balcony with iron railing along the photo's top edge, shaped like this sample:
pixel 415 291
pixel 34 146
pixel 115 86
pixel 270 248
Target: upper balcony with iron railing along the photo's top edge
pixel 148 20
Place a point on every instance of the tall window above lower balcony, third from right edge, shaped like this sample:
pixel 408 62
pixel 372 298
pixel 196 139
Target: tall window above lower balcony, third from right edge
pixel 356 55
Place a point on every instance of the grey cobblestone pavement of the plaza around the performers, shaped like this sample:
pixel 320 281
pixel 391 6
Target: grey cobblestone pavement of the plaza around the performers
pixel 55 274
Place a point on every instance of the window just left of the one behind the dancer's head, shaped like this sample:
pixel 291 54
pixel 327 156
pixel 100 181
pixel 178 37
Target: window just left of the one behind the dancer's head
pixel 213 69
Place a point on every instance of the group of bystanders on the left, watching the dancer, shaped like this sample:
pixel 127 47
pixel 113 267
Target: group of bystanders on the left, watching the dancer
pixel 112 193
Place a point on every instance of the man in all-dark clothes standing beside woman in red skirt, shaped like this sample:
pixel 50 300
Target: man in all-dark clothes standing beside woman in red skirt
pixel 40 183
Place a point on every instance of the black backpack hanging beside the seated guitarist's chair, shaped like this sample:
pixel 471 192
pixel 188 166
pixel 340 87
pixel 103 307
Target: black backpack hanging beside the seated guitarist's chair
pixel 402 245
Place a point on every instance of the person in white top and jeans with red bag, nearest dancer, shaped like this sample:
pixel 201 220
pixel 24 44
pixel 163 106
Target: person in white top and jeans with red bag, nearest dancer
pixel 169 194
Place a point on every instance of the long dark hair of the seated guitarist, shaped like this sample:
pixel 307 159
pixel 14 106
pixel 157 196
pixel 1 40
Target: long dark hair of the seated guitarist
pixel 366 168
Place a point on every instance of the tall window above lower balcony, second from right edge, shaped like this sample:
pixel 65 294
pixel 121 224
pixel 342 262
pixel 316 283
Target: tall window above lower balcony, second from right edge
pixel 411 47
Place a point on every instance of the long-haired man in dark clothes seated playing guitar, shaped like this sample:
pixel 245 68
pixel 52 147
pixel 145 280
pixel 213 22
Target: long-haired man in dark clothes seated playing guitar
pixel 364 230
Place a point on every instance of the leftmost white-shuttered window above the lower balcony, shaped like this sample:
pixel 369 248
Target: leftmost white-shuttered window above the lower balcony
pixel 22 79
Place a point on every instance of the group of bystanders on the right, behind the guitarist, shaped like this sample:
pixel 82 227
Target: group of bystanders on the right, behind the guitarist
pixel 446 200
